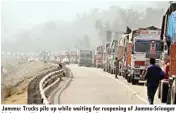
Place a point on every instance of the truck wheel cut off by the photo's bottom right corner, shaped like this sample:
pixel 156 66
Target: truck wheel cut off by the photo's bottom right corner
pixel 173 93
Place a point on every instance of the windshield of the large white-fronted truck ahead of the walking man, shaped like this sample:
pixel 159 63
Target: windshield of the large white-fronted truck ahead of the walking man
pixel 142 45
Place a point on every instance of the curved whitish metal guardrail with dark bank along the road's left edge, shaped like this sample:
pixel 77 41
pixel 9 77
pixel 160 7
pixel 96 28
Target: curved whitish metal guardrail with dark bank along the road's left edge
pixel 41 86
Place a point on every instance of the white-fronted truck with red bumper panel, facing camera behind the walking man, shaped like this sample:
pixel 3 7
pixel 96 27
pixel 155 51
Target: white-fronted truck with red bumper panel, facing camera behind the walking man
pixel 145 44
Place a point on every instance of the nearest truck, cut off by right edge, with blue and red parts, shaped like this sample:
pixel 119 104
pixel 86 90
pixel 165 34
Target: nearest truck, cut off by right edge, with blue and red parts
pixel 167 87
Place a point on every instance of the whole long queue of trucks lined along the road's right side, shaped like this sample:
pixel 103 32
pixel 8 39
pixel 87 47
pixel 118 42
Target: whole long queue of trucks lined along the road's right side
pixel 134 49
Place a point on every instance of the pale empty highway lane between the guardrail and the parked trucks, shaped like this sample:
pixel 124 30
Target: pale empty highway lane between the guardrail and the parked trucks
pixel 94 86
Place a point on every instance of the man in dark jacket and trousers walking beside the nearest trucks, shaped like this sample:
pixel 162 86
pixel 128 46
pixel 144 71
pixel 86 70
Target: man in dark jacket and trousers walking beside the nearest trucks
pixel 153 76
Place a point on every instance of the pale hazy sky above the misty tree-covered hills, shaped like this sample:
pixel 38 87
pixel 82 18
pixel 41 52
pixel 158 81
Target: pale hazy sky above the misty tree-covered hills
pixel 21 15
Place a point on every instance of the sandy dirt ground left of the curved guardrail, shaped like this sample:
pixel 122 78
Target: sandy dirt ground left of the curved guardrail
pixel 16 77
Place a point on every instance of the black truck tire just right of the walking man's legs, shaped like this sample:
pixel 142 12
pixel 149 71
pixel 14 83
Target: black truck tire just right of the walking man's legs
pixel 164 92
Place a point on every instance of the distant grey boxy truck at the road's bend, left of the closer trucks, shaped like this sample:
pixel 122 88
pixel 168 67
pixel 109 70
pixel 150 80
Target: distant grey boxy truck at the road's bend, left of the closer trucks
pixel 85 58
